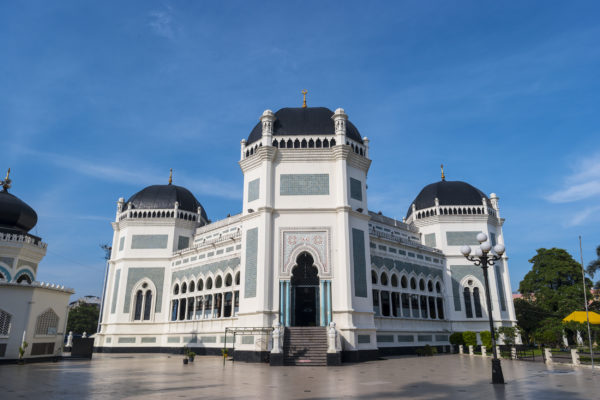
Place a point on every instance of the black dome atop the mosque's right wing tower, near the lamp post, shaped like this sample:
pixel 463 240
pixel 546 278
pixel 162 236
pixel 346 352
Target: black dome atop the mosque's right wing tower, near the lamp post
pixel 449 193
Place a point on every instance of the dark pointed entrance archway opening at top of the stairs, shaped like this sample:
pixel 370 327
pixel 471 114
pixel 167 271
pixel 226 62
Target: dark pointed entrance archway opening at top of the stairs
pixel 305 291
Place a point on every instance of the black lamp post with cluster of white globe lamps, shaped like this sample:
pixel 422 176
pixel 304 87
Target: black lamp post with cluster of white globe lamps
pixel 483 258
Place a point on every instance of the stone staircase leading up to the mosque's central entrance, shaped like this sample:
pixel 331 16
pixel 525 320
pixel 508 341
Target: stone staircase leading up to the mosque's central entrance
pixel 305 346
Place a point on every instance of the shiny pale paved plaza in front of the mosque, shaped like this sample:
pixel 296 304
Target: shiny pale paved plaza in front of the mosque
pixel 158 376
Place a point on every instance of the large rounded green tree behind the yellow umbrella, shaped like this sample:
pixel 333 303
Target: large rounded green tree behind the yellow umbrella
pixel 555 282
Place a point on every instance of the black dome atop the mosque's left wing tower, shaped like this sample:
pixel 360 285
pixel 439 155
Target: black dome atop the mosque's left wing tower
pixel 164 197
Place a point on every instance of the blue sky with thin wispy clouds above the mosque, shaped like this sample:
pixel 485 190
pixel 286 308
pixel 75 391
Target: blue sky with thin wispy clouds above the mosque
pixel 100 99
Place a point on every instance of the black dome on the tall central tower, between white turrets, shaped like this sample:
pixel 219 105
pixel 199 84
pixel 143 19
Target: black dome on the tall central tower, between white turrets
pixel 304 121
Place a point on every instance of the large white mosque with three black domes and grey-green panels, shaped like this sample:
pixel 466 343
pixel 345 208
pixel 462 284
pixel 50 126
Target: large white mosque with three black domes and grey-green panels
pixel 304 252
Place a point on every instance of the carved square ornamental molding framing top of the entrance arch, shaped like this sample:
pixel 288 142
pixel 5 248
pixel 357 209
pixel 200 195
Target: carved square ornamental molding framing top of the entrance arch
pixel 314 240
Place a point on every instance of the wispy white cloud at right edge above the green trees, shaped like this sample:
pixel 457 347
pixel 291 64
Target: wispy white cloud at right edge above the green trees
pixel 583 183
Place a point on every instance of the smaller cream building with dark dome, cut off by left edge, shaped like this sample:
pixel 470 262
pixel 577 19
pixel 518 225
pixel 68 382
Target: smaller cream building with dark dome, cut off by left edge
pixel 30 311
